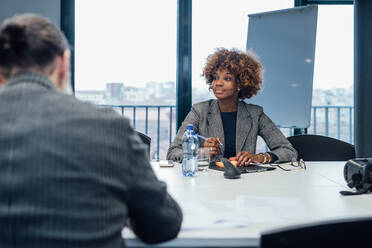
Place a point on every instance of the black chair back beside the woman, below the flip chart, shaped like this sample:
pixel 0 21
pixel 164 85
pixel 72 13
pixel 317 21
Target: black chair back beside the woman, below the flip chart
pixel 321 148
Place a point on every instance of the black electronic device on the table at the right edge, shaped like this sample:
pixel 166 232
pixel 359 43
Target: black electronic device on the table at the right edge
pixel 358 175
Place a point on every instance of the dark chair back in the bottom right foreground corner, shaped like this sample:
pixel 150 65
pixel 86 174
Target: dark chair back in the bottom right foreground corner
pixel 349 233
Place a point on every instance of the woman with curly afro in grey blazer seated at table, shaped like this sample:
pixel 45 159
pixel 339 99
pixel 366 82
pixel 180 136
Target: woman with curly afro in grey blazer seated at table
pixel 231 125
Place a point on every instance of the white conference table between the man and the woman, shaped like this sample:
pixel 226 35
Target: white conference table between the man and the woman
pixel 233 212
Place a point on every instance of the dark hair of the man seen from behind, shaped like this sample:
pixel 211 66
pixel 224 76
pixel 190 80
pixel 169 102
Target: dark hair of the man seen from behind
pixel 30 41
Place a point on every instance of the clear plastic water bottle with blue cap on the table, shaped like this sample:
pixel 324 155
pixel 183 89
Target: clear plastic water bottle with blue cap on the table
pixel 190 145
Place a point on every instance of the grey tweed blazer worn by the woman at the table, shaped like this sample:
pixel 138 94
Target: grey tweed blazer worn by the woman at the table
pixel 251 122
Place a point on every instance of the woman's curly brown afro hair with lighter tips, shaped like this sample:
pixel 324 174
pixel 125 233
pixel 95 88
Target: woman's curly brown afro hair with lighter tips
pixel 246 69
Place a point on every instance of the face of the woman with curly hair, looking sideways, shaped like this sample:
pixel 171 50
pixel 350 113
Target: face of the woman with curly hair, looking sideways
pixel 224 86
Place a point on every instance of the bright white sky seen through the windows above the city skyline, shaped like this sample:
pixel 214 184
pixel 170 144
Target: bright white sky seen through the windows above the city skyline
pixel 134 42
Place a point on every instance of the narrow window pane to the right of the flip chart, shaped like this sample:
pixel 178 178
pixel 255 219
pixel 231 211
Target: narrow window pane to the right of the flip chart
pixel 334 73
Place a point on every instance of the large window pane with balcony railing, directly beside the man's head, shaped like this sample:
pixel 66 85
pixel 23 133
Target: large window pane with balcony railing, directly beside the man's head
pixel 126 56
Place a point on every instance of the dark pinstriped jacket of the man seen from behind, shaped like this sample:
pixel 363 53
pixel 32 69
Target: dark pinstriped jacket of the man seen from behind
pixel 73 175
